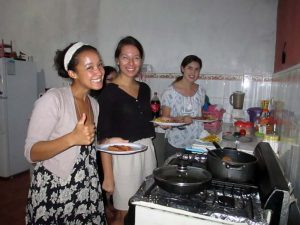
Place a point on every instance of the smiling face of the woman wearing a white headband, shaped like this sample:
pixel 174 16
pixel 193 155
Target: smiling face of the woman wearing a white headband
pixel 89 71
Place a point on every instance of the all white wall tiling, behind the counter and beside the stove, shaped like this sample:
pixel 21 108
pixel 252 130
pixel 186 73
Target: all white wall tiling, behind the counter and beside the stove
pixel 282 87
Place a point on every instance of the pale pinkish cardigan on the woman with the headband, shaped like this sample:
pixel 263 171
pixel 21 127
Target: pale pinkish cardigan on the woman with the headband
pixel 53 116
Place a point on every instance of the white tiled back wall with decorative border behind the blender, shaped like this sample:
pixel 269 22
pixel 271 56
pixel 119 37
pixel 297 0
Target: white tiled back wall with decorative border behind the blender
pixel 219 87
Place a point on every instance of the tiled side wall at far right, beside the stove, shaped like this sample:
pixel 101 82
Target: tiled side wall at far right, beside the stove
pixel 286 93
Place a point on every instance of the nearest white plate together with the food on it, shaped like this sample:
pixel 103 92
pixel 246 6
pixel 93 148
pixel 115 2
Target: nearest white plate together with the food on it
pixel 121 148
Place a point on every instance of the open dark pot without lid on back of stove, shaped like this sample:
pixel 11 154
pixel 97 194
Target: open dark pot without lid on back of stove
pixel 231 164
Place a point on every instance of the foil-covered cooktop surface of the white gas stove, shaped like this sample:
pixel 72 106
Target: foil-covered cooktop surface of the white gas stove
pixel 224 202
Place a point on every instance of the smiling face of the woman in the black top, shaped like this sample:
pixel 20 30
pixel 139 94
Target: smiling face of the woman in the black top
pixel 129 61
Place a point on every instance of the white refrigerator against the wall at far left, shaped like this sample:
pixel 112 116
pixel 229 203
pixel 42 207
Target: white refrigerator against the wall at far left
pixel 18 92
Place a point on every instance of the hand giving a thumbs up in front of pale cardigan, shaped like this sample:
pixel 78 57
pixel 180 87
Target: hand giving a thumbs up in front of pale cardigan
pixel 83 133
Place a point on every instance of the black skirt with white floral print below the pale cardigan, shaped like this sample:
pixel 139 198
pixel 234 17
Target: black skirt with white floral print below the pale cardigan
pixel 74 200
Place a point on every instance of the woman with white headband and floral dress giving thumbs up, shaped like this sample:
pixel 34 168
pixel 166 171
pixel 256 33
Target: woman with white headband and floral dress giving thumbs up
pixel 65 187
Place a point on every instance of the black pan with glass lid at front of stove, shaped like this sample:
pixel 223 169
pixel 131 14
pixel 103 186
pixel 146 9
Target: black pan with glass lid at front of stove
pixel 182 179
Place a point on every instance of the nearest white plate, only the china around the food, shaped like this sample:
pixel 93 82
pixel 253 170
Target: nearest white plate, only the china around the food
pixel 135 148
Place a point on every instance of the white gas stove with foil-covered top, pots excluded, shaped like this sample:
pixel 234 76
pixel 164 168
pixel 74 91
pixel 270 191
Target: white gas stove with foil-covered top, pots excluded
pixel 264 200
